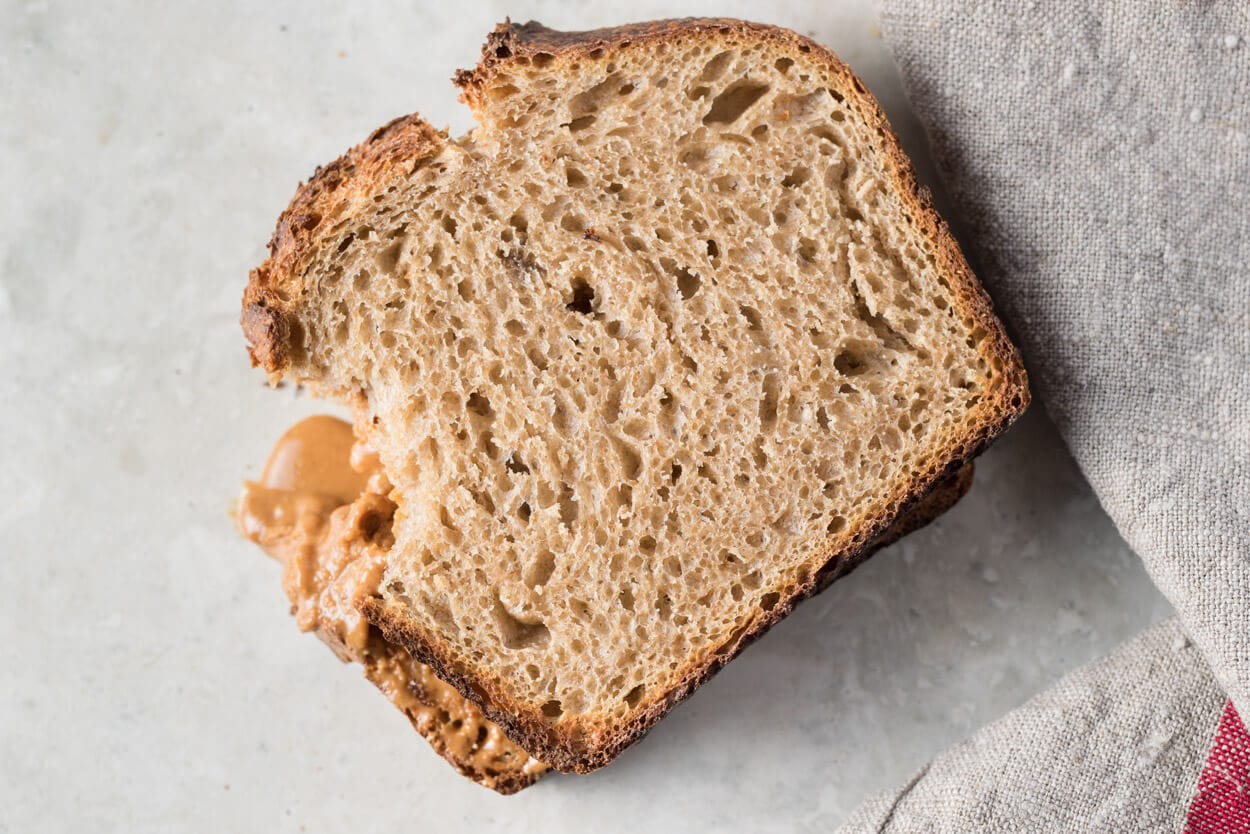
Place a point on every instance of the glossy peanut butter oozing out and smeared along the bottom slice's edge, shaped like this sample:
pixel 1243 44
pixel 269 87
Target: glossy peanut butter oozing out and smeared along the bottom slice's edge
pixel 322 510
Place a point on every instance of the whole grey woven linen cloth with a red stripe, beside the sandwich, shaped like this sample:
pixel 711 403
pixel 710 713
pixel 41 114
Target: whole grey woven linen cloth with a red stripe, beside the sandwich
pixel 1098 159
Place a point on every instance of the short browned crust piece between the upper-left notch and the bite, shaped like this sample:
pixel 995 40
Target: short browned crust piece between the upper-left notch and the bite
pixel 274 338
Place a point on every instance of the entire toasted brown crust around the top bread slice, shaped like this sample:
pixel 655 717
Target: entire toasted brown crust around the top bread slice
pixel 587 743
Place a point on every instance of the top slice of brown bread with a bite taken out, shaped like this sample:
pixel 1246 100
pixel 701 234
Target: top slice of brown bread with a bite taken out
pixel 649 357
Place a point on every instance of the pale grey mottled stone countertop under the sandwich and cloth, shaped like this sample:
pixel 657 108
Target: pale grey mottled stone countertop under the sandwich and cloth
pixel 154 681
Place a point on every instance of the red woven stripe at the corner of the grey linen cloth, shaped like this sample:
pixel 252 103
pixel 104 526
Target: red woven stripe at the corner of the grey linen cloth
pixel 1222 805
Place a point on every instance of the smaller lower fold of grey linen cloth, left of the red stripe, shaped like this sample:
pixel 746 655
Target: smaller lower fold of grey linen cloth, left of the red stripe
pixel 1116 747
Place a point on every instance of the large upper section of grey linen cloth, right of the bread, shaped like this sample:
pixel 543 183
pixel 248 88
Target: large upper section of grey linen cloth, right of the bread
pixel 1098 156
